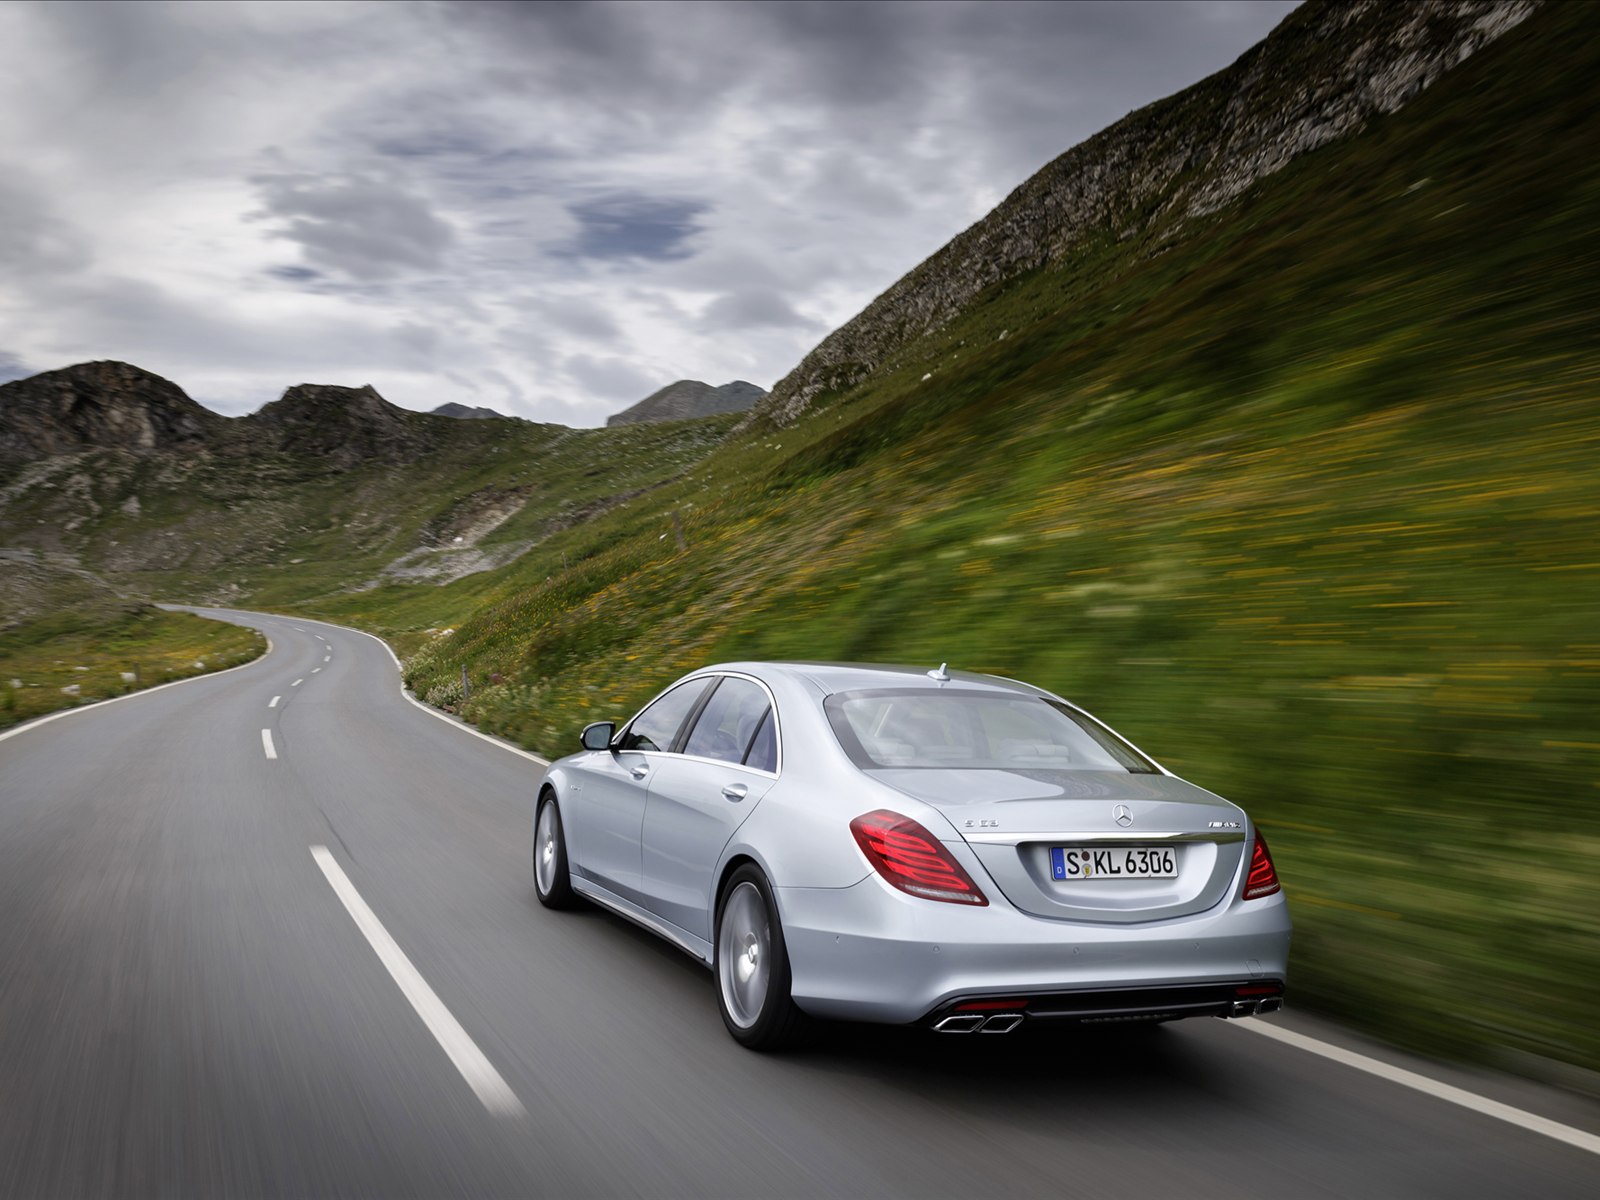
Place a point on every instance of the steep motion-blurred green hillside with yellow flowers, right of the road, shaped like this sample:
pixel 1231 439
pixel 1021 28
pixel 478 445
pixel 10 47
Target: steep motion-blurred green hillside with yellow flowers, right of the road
pixel 1303 502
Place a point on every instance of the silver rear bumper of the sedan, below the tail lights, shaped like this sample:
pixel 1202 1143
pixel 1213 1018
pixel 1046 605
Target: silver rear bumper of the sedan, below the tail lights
pixel 870 953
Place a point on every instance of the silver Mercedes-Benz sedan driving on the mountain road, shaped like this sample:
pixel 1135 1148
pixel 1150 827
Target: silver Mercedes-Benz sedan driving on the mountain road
pixel 906 846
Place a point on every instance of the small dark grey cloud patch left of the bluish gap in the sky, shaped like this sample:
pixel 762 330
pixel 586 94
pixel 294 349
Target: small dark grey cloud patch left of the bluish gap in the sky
pixel 367 230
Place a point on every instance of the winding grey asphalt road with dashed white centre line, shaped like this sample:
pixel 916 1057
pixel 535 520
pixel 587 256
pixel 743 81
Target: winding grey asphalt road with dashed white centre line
pixel 188 1006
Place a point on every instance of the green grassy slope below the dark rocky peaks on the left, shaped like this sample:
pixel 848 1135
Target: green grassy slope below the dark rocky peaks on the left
pixel 276 527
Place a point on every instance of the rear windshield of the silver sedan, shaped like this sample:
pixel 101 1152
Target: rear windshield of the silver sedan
pixel 958 729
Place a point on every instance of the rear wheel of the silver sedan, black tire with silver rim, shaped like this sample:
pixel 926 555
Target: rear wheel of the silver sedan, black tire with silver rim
pixel 750 935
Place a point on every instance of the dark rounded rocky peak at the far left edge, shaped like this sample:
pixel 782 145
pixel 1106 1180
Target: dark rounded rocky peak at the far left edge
pixel 100 406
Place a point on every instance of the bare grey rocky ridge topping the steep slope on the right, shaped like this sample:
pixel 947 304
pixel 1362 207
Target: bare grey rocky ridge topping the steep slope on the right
pixel 1321 76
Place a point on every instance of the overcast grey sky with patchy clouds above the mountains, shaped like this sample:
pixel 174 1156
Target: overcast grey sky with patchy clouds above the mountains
pixel 548 209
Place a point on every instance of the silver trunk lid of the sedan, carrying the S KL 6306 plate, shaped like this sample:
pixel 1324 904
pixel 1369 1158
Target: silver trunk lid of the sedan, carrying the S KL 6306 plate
pixel 1015 820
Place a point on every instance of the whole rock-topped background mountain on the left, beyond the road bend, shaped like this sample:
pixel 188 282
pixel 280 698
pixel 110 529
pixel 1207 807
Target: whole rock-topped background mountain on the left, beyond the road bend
pixel 113 470
